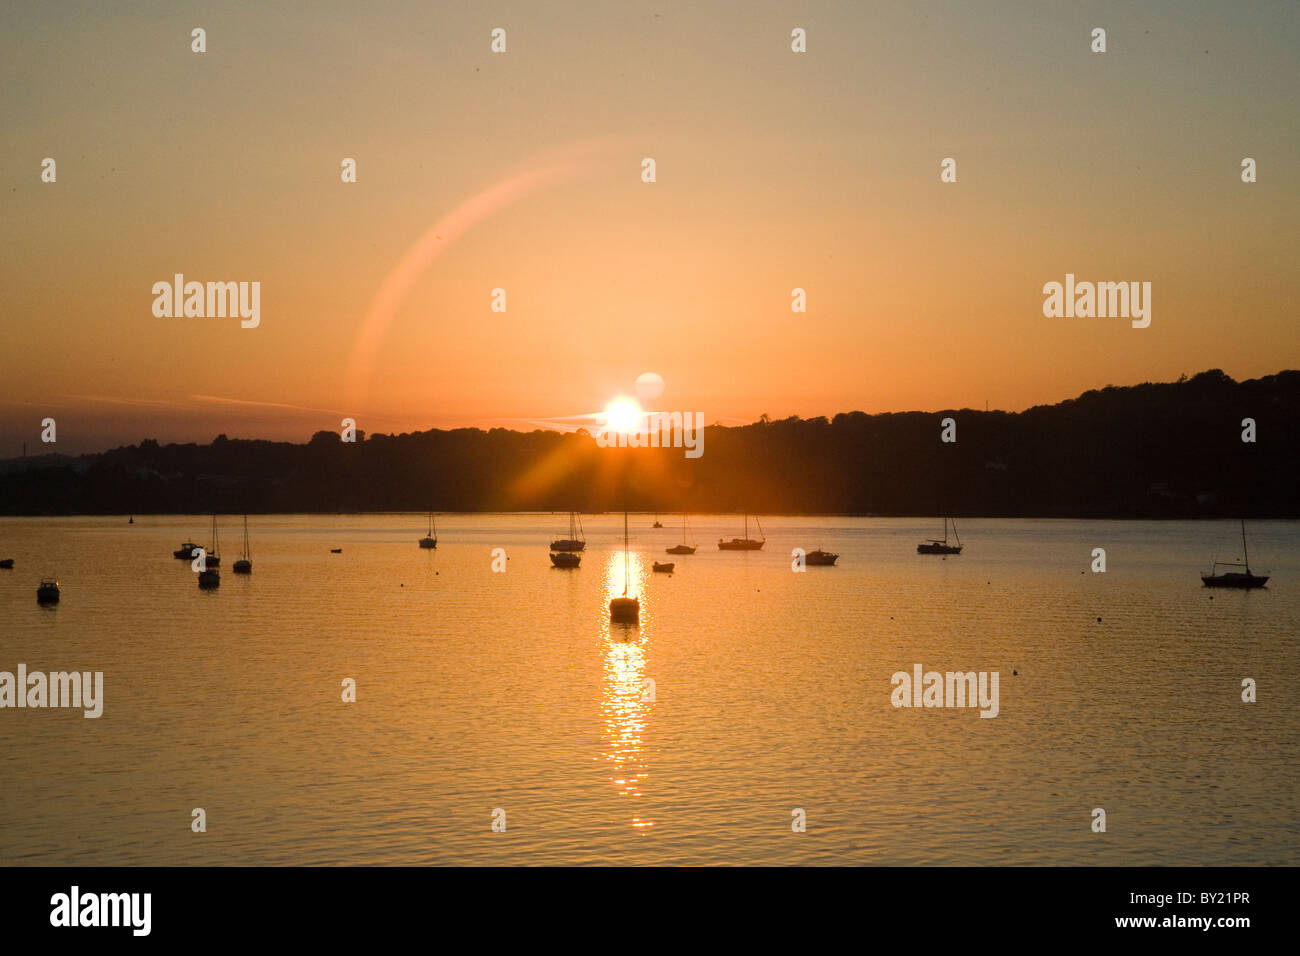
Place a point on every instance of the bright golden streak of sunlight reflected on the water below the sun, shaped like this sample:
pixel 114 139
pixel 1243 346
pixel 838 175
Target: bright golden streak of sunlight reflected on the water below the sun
pixel 627 699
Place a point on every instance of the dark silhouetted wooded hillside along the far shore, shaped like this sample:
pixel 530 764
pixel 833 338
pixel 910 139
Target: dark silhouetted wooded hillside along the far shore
pixel 1165 451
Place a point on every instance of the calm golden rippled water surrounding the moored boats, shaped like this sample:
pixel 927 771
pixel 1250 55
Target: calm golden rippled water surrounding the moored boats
pixel 773 691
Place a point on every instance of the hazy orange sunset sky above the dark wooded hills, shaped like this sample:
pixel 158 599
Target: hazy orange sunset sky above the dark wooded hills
pixel 774 171
